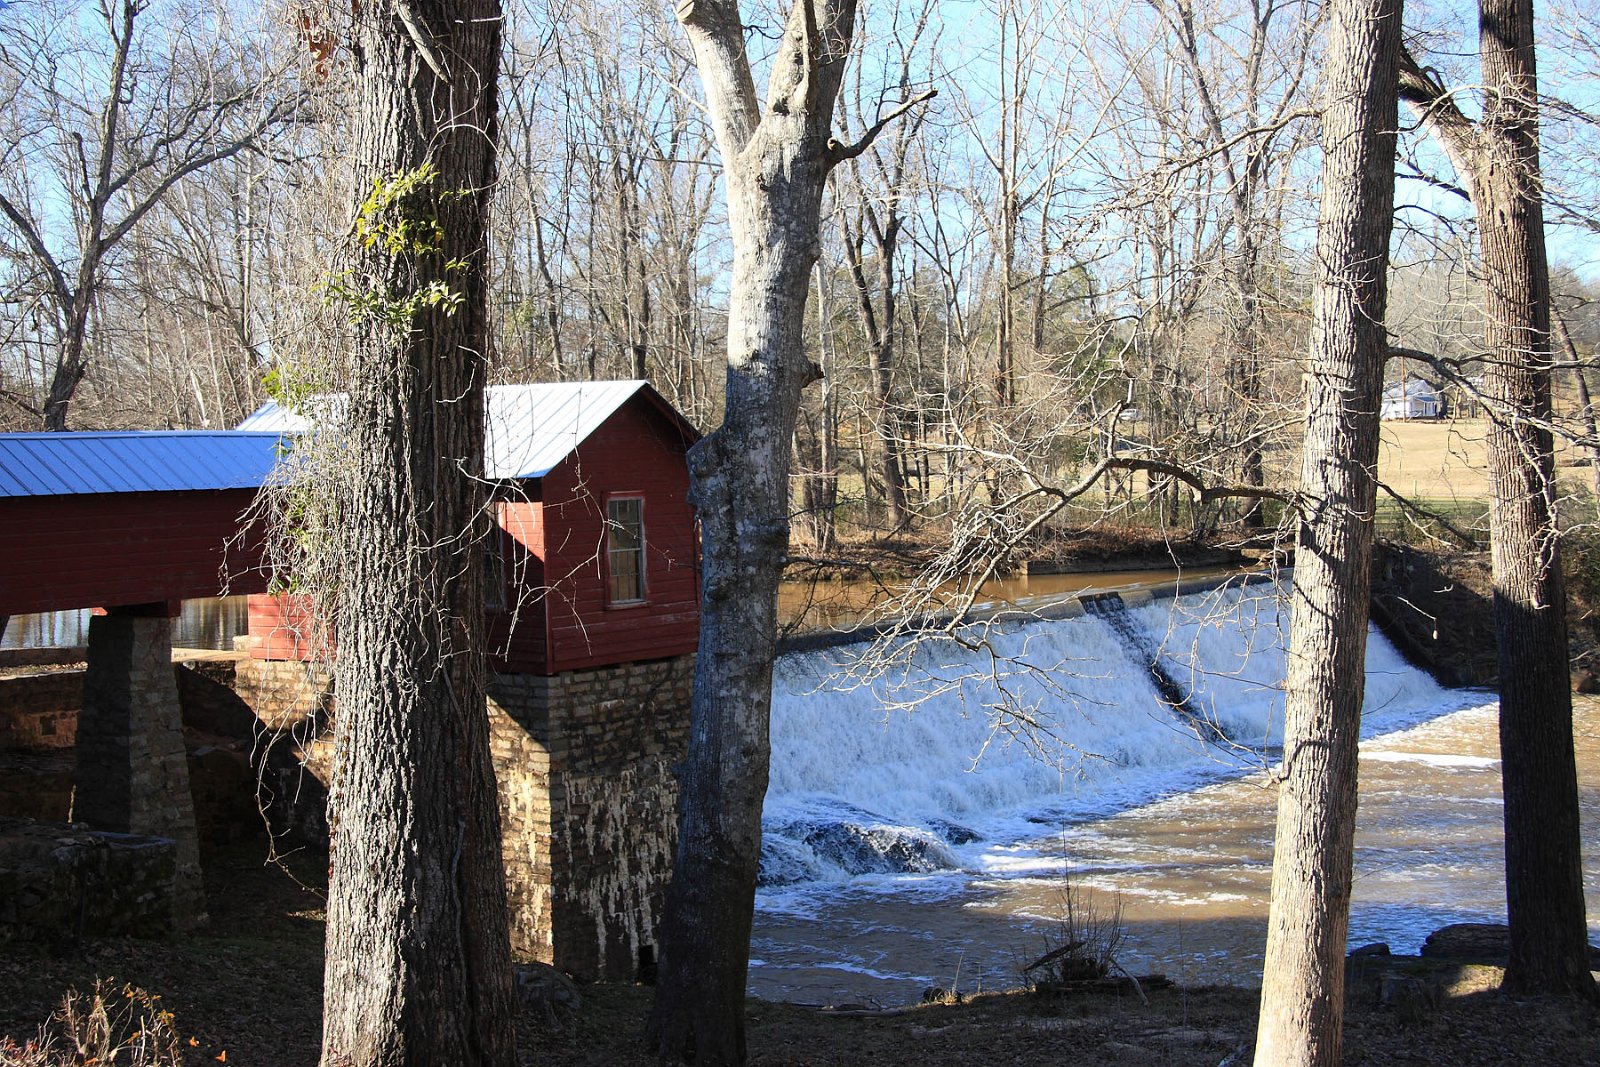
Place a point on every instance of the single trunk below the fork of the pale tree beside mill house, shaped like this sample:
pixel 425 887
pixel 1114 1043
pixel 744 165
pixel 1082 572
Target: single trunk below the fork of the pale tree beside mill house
pixel 742 495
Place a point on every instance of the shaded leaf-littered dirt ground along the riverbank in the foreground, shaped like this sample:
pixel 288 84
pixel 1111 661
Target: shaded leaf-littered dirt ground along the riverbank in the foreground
pixel 249 988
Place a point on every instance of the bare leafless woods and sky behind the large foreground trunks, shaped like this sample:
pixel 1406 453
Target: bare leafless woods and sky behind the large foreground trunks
pixel 1090 252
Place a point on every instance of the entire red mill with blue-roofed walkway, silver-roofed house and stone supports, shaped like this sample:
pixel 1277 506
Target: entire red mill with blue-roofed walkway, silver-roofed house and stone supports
pixel 593 615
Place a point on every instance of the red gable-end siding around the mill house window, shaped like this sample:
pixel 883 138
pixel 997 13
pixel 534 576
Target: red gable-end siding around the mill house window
pixel 636 454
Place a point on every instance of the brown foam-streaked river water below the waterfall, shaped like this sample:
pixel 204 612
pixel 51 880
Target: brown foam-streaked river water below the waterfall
pixel 1191 876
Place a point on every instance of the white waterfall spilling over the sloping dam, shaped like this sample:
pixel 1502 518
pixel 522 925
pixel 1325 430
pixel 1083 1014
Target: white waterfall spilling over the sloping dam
pixel 1012 730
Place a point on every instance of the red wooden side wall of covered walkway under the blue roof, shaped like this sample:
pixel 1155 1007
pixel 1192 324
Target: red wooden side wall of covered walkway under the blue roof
pixel 114 549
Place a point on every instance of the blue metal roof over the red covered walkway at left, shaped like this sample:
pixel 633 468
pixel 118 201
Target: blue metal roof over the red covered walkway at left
pixel 63 465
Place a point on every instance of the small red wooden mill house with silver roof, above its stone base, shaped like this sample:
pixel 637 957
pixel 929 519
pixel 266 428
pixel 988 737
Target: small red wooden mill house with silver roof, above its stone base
pixel 596 561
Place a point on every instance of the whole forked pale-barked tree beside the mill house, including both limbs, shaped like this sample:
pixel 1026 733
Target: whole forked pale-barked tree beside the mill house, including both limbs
pixel 775 167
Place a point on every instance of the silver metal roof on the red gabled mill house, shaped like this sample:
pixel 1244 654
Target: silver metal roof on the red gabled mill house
pixel 529 430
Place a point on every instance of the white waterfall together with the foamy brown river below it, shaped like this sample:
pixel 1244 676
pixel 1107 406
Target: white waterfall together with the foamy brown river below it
pixel 922 825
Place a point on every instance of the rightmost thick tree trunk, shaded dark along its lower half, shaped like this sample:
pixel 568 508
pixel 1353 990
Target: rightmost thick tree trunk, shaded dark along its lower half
pixel 1545 893
